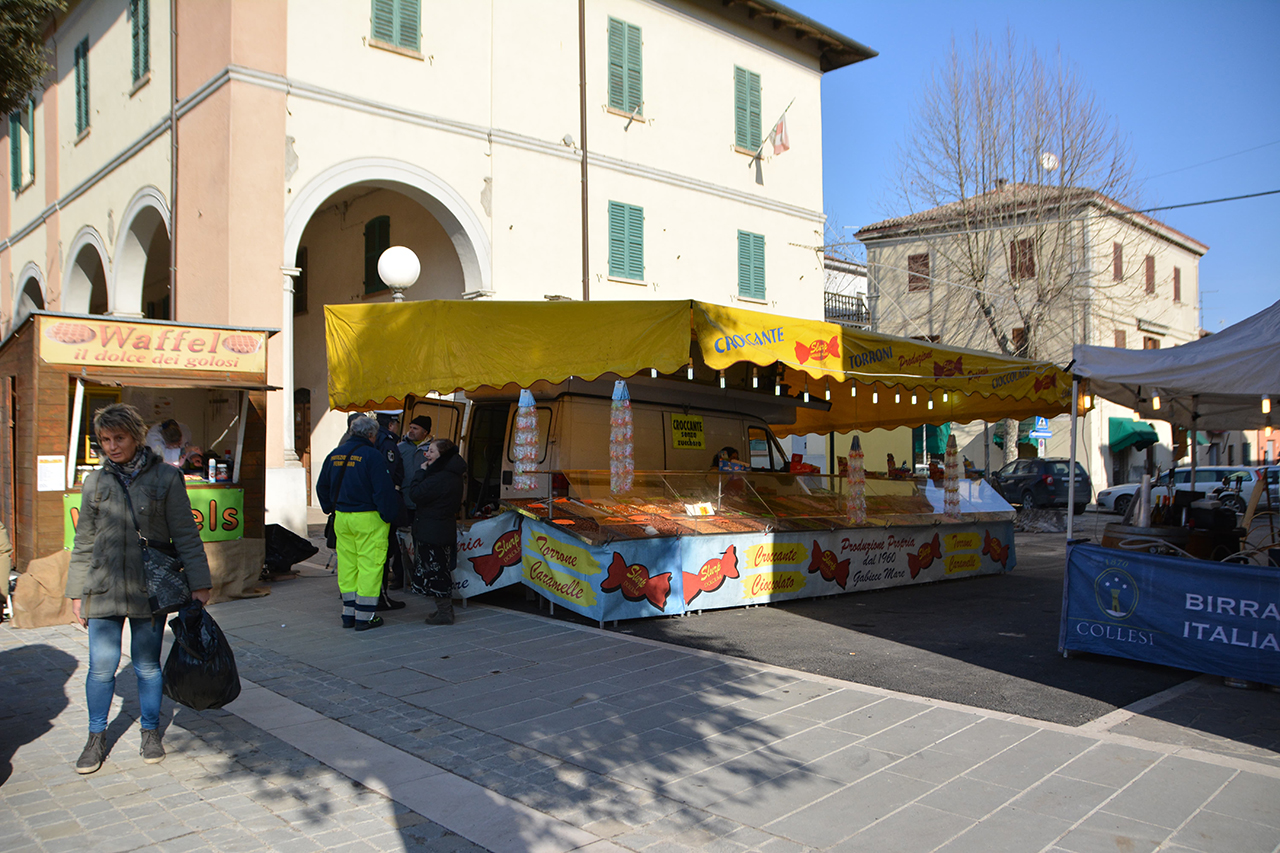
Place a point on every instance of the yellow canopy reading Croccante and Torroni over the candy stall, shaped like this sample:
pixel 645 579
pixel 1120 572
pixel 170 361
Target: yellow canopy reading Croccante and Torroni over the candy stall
pixel 382 353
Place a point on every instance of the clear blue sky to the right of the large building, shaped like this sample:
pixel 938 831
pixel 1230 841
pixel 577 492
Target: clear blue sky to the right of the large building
pixel 1187 83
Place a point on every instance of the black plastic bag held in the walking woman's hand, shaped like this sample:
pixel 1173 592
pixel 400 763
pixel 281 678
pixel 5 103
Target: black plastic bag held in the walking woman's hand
pixel 200 672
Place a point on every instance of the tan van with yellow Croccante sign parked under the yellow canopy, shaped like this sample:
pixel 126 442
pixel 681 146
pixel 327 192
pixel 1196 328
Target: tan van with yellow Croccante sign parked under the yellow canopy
pixel 678 427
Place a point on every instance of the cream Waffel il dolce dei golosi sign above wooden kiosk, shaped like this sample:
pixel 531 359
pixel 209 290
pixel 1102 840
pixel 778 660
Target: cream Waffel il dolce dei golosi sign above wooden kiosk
pixel 111 344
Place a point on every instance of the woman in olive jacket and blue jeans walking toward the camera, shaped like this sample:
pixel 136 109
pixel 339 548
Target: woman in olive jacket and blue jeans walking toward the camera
pixel 107 583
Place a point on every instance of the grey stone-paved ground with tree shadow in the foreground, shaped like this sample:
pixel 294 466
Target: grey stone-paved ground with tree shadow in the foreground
pixel 509 732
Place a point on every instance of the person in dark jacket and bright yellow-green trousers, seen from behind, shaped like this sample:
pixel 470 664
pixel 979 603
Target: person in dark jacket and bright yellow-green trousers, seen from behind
pixel 356 483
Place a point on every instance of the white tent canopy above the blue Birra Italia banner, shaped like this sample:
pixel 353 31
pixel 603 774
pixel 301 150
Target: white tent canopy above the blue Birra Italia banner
pixel 1214 384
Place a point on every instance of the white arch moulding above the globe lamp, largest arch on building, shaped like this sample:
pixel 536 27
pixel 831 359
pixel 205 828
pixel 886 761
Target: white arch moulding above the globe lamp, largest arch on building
pixel 464 227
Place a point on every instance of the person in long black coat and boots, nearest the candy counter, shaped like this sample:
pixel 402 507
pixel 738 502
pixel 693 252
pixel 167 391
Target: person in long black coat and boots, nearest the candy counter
pixel 437 494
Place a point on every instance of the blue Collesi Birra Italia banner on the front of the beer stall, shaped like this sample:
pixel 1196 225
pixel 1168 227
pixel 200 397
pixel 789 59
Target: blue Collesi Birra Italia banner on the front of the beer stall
pixel 1205 617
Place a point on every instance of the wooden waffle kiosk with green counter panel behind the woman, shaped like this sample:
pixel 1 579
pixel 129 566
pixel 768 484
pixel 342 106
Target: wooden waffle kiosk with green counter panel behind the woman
pixel 57 371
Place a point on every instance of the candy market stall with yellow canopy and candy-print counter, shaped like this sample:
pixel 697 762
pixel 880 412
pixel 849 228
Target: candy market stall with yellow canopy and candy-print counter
pixel 670 541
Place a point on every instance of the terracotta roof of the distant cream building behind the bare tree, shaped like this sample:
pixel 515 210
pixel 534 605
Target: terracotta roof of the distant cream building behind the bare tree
pixel 1018 199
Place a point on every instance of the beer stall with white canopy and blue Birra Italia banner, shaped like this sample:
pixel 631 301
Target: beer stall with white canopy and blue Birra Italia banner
pixel 1168 608
